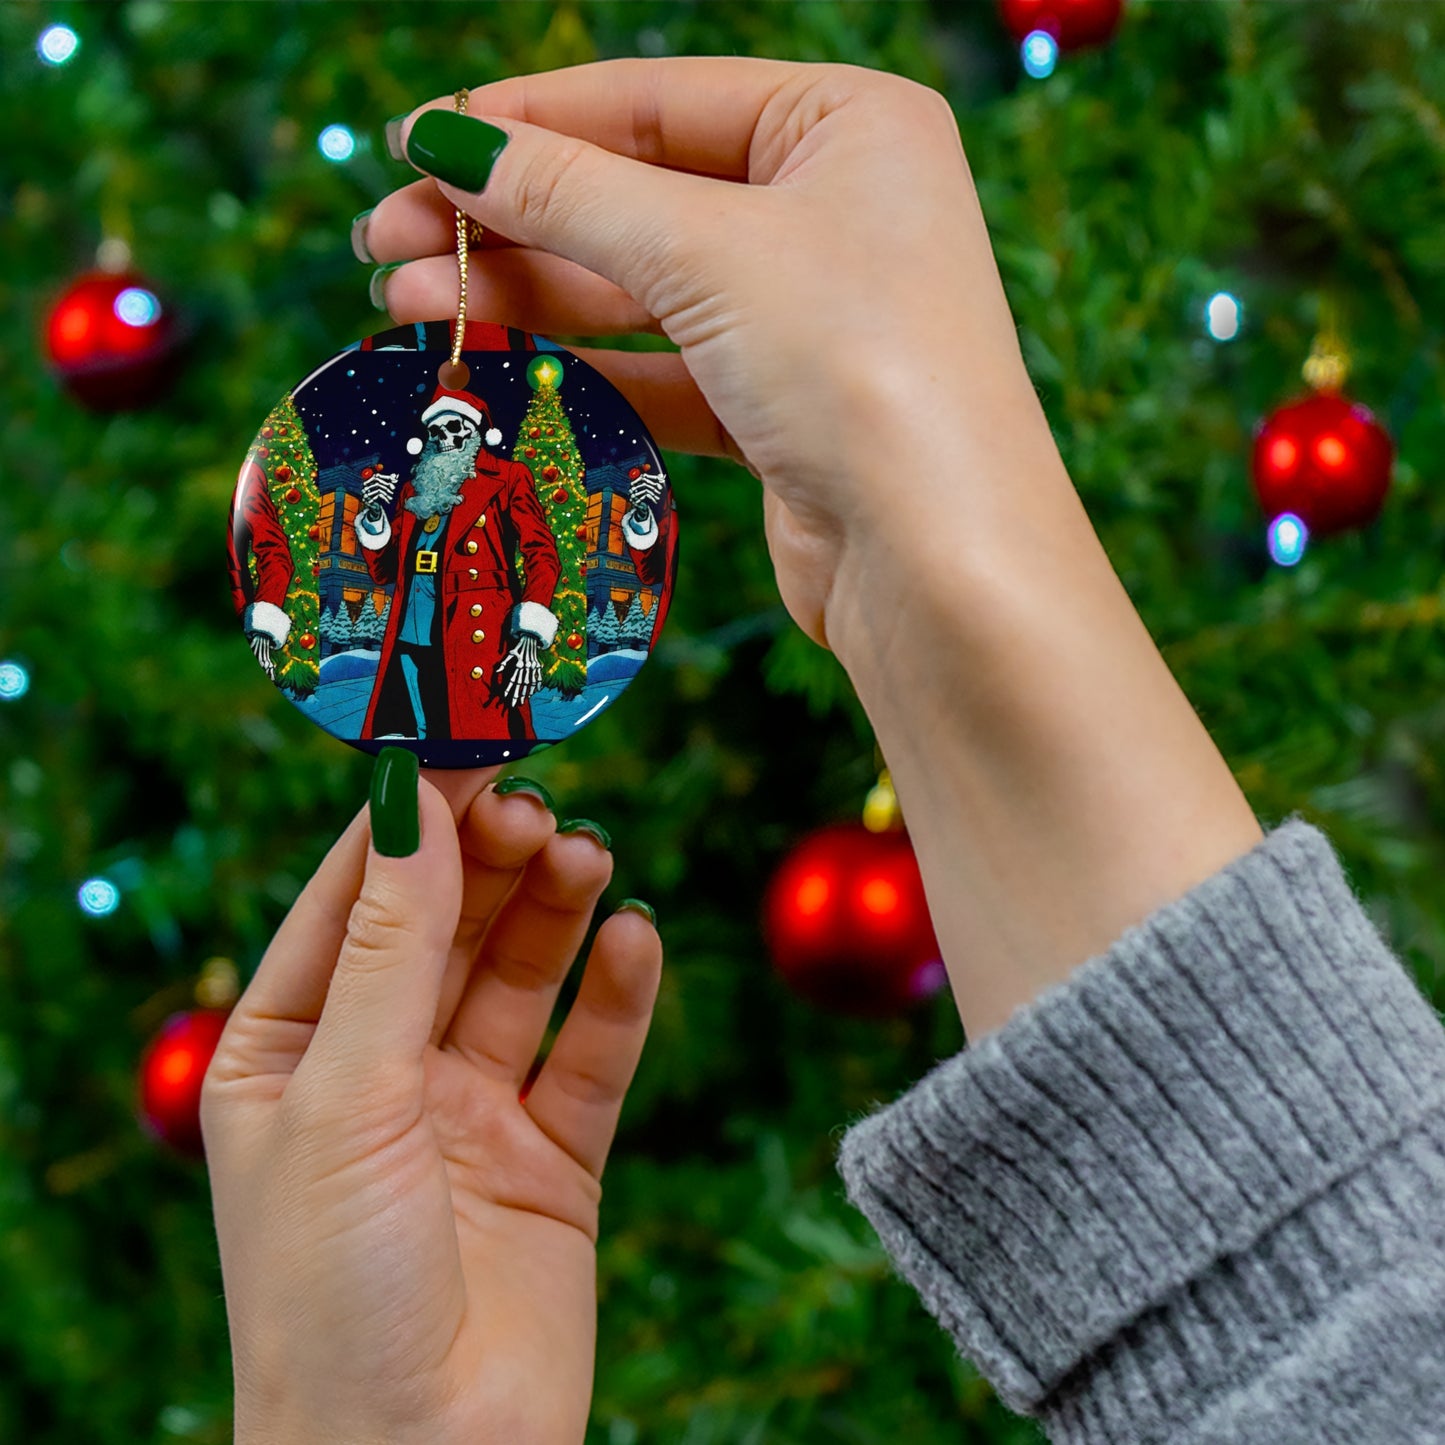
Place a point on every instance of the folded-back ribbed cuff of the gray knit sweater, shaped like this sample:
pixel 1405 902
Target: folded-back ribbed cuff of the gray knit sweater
pixel 1147 1138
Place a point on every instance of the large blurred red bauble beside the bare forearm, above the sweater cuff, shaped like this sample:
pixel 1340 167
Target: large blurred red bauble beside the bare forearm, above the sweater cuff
pixel 847 923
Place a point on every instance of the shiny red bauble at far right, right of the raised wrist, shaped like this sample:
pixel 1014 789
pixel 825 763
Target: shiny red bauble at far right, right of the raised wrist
pixel 1327 460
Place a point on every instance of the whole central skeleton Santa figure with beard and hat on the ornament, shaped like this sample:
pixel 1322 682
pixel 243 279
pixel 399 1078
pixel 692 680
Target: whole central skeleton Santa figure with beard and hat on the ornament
pixel 462 654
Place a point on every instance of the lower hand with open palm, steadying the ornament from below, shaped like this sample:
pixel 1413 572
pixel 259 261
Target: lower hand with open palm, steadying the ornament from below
pixel 408 1246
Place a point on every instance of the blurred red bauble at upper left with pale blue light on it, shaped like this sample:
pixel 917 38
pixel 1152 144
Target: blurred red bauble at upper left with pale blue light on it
pixel 112 342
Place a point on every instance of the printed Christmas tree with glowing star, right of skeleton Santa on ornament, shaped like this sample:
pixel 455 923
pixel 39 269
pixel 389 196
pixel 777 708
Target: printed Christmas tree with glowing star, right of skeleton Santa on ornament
pixel 548 449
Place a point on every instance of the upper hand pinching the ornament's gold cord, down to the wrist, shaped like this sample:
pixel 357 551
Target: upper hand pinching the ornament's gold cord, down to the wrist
pixel 807 235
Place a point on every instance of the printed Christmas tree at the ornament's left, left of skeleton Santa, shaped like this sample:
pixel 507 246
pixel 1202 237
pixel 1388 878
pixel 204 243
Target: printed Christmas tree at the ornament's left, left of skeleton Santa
pixel 284 454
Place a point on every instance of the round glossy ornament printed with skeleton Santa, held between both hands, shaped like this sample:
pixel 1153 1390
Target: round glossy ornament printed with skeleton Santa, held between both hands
pixel 407 577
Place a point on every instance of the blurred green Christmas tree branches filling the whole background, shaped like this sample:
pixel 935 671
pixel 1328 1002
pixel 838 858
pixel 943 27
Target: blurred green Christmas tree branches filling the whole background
pixel 1267 152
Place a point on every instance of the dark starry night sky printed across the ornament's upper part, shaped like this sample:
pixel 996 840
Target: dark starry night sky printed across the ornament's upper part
pixel 371 402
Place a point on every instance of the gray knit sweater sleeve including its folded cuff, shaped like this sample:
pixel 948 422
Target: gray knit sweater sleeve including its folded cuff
pixel 1196 1193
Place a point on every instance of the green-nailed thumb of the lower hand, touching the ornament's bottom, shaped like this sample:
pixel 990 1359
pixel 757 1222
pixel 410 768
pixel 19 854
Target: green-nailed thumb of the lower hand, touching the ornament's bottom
pixel 384 996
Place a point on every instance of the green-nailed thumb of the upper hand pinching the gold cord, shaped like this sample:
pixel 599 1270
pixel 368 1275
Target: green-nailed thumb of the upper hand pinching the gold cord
pixel 619 217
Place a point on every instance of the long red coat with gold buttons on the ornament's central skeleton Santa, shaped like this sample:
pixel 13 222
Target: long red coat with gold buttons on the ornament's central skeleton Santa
pixel 478 590
